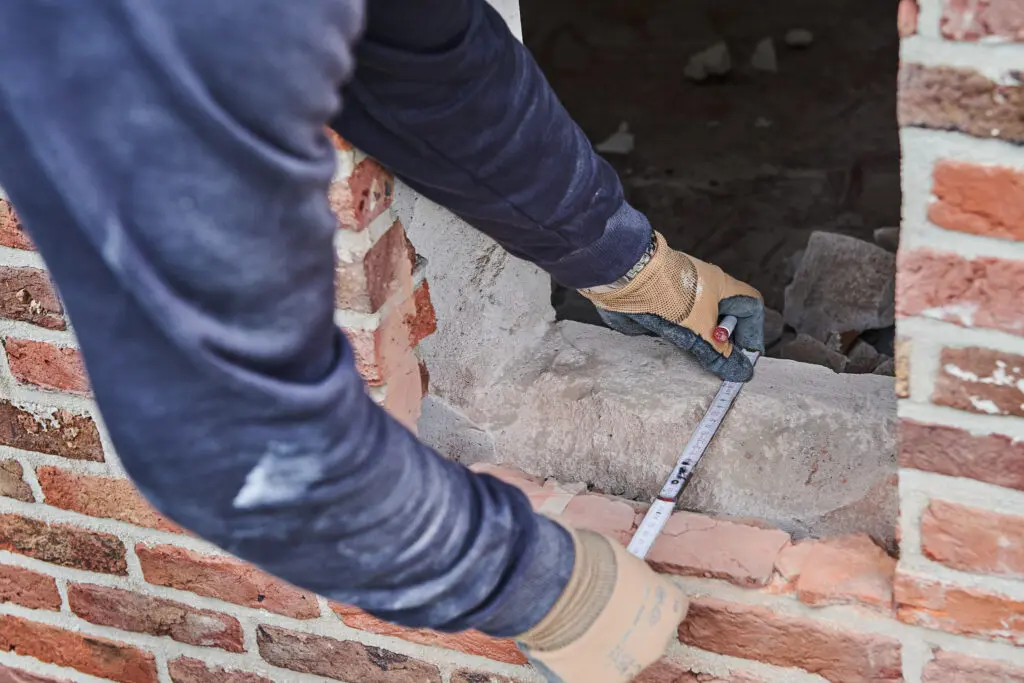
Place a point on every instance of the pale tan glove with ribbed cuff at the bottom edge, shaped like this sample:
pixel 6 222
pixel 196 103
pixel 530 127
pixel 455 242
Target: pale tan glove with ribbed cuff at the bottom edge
pixel 616 618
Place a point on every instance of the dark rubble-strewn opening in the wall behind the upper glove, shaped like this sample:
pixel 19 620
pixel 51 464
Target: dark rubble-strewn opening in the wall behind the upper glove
pixel 754 127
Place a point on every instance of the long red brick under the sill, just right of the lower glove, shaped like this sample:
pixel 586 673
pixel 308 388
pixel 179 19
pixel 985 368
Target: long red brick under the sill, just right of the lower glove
pixel 764 635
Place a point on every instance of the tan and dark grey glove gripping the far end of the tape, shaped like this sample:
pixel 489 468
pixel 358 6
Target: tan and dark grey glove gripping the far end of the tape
pixel 681 298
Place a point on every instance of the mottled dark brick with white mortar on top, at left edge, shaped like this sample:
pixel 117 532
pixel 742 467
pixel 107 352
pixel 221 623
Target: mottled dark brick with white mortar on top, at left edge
pixel 55 432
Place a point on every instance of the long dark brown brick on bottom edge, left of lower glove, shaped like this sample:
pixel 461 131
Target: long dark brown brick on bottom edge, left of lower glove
pixel 344 661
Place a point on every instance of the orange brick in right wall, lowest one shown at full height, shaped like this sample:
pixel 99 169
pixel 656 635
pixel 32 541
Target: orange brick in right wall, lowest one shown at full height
pixel 930 604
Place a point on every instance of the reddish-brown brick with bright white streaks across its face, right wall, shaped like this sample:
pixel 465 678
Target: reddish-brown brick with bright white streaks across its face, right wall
pixel 980 380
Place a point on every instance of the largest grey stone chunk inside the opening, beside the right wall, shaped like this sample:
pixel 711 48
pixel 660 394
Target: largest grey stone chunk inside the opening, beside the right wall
pixel 842 285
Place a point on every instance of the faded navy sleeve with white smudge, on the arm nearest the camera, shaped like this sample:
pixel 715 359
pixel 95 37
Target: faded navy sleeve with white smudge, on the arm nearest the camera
pixel 169 161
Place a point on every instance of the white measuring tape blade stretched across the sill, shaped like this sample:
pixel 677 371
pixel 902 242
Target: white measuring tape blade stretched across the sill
pixel 663 507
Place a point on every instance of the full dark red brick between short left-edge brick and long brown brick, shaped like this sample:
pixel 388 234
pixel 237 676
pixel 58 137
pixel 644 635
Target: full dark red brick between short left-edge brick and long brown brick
pixel 157 617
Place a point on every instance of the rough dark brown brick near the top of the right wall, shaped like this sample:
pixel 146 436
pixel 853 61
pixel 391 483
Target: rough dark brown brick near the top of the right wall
pixel 961 100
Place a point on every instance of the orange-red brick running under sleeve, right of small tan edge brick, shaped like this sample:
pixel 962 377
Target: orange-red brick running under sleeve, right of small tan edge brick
pixel 100 497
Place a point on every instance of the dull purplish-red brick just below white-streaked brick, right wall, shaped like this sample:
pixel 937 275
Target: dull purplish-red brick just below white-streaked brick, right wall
pixel 994 458
